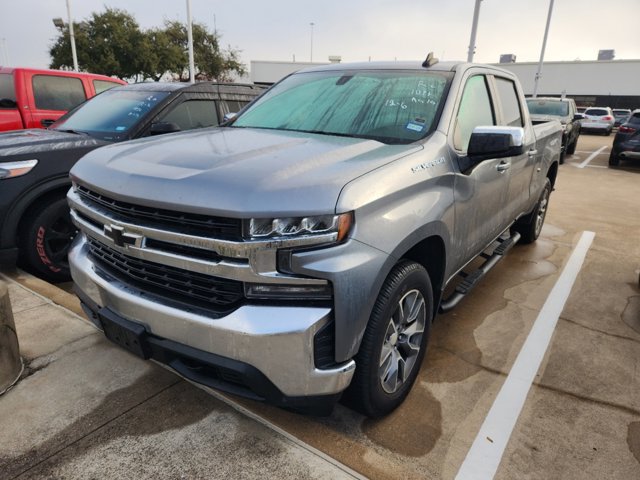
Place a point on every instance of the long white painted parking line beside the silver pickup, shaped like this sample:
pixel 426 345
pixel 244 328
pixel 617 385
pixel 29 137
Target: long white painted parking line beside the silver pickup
pixel 483 459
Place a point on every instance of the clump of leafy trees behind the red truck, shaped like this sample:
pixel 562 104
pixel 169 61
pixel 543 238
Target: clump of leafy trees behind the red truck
pixel 112 43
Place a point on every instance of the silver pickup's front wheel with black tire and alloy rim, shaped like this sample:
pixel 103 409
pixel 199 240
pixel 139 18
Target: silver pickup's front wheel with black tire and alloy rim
pixel 375 391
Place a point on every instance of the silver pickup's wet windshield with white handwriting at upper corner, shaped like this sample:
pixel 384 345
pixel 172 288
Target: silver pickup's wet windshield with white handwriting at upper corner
pixel 385 105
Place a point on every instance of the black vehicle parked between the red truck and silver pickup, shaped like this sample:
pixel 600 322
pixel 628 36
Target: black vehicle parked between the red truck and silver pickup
pixel 34 164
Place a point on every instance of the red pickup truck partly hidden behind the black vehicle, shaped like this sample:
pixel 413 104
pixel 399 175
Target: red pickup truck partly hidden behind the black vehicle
pixel 31 98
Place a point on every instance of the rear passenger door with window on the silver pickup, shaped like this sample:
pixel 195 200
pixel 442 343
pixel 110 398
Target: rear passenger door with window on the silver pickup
pixel 510 113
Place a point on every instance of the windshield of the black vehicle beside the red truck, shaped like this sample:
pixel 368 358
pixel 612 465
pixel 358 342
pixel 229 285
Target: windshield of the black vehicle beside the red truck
pixel 111 114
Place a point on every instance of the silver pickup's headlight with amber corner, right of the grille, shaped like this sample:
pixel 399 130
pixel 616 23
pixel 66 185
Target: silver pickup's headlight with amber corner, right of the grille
pixel 264 228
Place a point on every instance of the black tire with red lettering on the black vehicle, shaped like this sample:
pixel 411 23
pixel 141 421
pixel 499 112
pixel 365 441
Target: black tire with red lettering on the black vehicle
pixel 45 240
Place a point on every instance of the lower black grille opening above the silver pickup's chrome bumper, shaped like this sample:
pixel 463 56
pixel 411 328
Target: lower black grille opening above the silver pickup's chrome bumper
pixel 174 284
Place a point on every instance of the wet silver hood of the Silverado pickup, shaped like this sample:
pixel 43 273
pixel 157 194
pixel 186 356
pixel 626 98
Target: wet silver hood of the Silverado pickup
pixel 236 172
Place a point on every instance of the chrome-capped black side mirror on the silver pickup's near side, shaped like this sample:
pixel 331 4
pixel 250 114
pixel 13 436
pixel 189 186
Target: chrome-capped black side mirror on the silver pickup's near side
pixel 495 142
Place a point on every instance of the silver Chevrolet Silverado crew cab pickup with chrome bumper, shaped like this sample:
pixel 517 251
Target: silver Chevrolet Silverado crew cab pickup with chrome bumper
pixel 302 251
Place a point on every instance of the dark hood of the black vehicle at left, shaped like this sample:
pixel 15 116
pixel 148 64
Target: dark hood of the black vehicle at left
pixel 34 141
